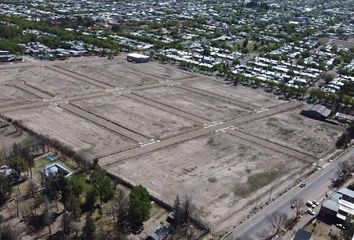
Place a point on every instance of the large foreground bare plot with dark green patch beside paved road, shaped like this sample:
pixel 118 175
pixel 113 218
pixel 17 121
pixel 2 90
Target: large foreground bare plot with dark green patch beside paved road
pixel 220 173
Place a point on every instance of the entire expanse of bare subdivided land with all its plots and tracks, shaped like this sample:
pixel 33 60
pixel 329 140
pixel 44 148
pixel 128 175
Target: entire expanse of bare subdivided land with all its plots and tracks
pixel 224 163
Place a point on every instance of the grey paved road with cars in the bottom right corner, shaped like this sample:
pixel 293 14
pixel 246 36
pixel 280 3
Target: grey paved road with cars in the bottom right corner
pixel 316 187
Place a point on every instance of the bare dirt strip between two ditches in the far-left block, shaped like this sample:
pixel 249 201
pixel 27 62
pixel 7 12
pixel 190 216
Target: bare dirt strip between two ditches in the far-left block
pixel 47 81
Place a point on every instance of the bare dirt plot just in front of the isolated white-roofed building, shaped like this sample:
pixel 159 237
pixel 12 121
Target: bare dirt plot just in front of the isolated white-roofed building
pixel 111 72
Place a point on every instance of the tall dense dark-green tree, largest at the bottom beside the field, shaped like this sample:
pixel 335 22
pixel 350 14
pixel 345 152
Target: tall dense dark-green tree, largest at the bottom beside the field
pixel 139 206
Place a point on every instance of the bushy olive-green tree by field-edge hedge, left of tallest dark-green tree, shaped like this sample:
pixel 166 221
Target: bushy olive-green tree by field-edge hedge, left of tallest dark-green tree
pixel 103 185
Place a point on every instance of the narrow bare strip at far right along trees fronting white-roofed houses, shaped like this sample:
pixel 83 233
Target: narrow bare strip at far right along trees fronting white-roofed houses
pixel 244 95
